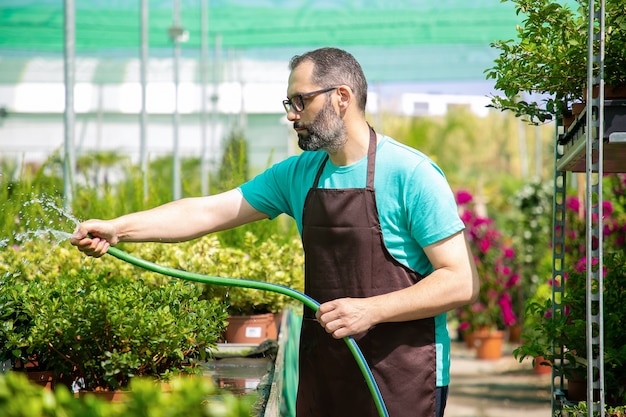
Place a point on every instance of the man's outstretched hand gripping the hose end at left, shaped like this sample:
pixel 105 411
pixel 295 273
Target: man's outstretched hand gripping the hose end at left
pixel 94 237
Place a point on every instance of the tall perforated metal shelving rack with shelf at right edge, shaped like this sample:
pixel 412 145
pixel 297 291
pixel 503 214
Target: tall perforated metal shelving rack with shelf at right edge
pixel 582 149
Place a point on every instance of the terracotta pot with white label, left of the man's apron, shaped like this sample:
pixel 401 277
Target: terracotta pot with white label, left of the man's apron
pixel 252 329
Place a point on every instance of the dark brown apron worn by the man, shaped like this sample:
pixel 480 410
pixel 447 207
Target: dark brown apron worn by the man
pixel 345 256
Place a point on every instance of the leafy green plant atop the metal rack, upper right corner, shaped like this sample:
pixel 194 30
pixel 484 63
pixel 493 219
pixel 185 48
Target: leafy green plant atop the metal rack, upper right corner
pixel 544 71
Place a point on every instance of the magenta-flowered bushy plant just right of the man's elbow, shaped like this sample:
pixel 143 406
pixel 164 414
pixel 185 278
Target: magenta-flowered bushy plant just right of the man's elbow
pixel 494 258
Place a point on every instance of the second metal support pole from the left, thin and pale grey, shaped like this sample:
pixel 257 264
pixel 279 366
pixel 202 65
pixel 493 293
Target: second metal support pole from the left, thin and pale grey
pixel 143 118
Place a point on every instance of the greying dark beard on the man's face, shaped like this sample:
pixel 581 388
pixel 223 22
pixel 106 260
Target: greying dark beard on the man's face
pixel 327 131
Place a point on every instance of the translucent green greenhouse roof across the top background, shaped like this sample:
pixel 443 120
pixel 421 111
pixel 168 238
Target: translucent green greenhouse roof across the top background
pixel 395 40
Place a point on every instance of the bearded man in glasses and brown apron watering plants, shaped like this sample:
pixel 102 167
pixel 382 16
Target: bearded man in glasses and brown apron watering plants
pixel 384 247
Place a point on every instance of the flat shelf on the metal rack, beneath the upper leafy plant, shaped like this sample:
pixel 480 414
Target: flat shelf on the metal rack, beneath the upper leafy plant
pixel 574 141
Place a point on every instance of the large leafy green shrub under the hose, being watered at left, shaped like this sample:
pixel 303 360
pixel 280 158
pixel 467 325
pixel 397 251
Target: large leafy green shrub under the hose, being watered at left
pixel 99 329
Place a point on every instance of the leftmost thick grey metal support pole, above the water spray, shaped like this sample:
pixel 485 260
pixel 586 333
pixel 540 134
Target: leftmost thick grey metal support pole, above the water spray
pixel 69 116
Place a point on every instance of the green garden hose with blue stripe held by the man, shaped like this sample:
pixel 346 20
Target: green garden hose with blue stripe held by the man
pixel 265 286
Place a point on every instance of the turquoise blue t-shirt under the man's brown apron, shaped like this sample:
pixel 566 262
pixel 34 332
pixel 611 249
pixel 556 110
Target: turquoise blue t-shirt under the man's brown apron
pixel 415 204
